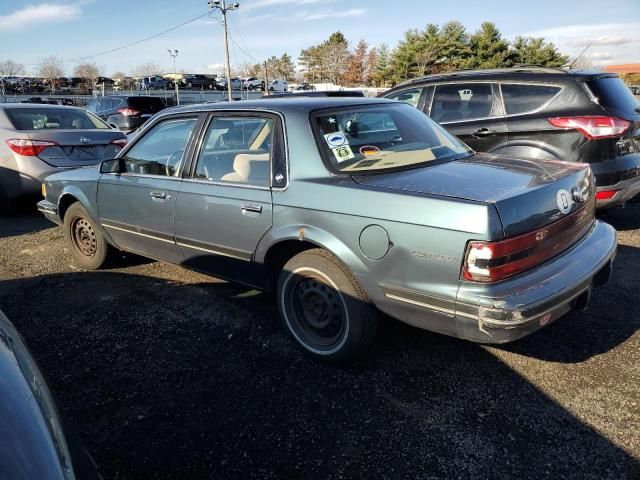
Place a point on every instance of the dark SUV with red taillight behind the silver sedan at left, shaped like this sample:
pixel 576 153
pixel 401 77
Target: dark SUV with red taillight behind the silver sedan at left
pixel 127 112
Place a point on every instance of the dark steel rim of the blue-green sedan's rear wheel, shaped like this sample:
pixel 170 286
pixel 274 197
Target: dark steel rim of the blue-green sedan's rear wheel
pixel 316 311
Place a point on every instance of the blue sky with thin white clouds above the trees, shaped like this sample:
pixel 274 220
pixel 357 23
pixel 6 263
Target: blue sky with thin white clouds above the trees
pixel 30 30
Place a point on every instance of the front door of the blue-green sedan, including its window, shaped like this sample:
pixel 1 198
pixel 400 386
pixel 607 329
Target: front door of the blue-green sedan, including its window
pixel 137 205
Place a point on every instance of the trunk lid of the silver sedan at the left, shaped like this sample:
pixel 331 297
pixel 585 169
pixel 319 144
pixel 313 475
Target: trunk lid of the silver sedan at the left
pixel 77 147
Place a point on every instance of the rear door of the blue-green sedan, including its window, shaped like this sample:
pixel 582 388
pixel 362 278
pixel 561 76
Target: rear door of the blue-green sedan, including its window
pixel 225 208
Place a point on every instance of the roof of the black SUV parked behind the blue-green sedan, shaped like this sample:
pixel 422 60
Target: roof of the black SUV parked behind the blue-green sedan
pixel 525 72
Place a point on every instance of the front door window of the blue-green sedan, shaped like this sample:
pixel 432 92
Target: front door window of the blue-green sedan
pixel 161 150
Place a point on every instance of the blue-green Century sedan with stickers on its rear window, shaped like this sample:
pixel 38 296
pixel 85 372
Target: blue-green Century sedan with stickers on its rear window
pixel 346 207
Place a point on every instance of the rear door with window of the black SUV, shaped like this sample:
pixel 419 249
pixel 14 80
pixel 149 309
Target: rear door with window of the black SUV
pixel 472 111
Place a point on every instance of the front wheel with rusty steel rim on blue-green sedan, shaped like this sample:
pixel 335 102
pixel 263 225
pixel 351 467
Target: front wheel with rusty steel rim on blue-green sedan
pixel 86 242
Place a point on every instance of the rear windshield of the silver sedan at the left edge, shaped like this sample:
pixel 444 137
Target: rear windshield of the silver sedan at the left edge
pixel 53 118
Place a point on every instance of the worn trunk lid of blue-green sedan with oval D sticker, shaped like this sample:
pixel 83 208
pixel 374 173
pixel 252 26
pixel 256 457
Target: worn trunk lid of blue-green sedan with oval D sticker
pixel 528 194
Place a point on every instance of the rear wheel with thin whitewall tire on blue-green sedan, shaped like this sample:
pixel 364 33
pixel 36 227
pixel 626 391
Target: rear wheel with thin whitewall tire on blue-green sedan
pixel 324 308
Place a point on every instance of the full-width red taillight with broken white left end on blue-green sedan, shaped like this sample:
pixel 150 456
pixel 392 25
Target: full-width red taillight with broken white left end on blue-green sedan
pixel 492 261
